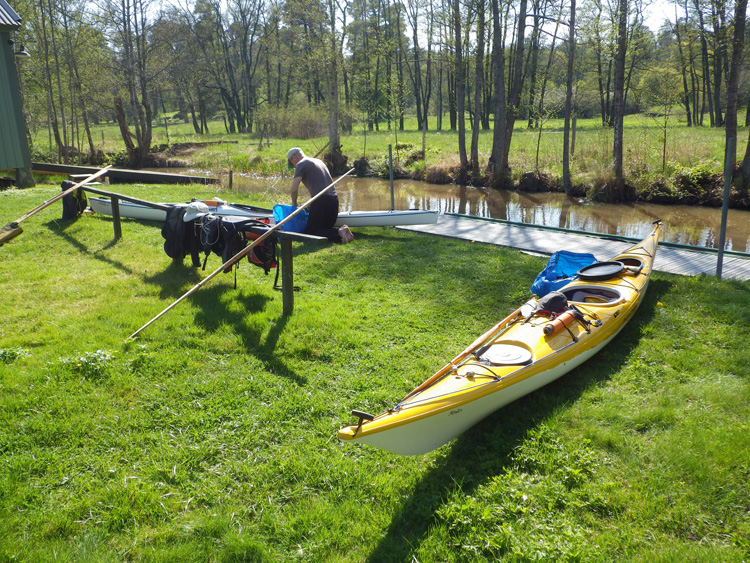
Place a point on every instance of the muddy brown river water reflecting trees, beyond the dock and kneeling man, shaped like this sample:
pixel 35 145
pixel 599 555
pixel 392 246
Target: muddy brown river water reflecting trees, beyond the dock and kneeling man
pixel 695 226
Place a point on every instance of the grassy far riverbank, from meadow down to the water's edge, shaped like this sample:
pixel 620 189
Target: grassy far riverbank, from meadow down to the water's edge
pixel 690 172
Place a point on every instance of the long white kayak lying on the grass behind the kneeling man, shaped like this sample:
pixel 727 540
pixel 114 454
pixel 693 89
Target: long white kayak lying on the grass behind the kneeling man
pixel 218 207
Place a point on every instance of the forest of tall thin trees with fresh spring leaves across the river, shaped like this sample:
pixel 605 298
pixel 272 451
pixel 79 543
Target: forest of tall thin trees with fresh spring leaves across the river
pixel 302 69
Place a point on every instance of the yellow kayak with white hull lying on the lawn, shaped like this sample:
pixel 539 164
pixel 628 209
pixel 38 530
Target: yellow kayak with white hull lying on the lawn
pixel 539 342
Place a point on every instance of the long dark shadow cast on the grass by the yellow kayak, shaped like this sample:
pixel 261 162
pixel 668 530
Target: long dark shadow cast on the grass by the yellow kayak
pixel 486 450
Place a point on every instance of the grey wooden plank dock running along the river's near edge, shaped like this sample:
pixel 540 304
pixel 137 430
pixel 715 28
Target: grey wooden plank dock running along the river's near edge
pixel 530 239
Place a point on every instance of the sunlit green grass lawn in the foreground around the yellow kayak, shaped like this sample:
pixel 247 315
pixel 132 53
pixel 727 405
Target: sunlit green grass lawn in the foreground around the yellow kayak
pixel 212 436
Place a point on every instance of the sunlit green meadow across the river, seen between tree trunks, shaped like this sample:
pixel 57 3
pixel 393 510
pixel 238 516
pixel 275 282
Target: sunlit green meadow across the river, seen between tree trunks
pixel 591 162
